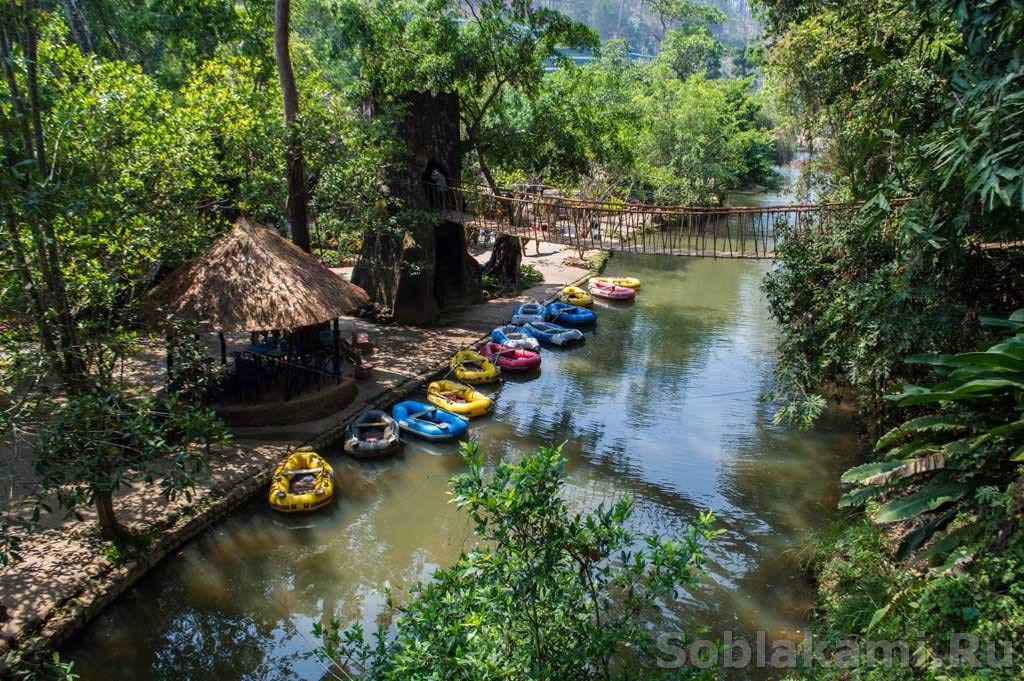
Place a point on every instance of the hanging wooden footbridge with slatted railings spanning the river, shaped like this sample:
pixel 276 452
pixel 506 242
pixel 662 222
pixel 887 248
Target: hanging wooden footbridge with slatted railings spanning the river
pixel 740 232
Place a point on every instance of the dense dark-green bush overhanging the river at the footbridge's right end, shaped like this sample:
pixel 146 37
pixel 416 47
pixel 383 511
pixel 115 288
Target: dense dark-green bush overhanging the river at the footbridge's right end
pixel 850 313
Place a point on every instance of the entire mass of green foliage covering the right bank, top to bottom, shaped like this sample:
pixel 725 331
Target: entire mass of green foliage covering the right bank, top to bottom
pixel 918 99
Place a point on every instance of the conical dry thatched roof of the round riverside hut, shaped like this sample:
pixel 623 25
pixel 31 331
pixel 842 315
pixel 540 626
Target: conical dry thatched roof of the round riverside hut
pixel 253 280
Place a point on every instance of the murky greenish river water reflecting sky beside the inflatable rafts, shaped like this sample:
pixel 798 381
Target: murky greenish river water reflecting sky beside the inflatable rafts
pixel 662 403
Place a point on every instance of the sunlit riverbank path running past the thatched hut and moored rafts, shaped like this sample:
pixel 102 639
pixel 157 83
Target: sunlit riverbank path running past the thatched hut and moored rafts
pixel 68 575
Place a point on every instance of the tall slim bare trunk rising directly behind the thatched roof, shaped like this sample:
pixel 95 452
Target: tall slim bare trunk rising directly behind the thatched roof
pixel 293 155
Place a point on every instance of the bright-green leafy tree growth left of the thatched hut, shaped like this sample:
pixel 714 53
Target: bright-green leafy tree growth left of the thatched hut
pixel 86 172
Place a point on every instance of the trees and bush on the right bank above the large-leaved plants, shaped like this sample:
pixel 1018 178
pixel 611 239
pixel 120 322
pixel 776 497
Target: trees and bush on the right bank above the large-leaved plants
pixel 889 283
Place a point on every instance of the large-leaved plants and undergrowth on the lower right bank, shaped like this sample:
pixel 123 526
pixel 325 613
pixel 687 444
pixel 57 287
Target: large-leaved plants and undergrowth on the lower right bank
pixel 953 476
